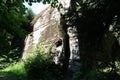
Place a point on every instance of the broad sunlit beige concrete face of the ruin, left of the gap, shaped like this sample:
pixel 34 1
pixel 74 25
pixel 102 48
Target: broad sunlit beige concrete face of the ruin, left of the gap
pixel 45 30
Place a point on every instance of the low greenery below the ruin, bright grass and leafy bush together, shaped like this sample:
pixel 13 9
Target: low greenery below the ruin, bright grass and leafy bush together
pixel 38 66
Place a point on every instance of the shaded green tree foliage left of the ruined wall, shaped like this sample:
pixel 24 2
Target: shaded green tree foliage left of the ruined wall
pixel 15 25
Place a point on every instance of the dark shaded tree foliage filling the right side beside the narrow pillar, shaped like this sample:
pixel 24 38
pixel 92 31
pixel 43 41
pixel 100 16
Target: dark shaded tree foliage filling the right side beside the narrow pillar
pixel 99 46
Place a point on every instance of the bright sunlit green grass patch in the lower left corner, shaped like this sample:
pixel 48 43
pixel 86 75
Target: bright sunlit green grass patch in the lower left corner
pixel 15 71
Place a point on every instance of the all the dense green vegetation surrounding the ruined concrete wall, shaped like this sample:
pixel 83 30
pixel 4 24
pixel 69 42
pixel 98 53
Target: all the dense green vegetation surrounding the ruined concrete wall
pixel 98 24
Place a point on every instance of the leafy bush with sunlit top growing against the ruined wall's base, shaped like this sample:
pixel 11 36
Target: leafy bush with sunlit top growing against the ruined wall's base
pixel 39 66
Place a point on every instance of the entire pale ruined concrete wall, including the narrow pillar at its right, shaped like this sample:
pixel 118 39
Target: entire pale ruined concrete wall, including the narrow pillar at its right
pixel 47 27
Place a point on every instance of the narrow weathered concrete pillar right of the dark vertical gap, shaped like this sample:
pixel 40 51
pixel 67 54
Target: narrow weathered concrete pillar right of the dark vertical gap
pixel 74 63
